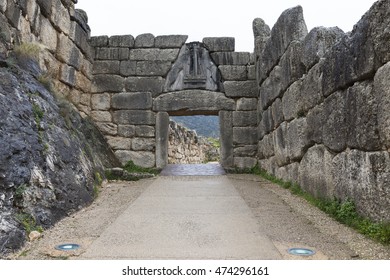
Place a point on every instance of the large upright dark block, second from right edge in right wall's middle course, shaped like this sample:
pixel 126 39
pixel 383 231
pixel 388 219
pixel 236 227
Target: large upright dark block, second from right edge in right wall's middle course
pixel 362 110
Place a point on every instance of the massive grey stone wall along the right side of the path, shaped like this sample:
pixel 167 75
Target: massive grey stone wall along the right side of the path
pixel 324 107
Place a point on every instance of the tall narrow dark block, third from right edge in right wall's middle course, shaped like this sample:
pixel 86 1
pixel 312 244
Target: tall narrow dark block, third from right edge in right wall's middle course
pixel 335 126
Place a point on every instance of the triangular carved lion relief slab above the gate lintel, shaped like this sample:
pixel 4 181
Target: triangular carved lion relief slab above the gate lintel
pixel 194 69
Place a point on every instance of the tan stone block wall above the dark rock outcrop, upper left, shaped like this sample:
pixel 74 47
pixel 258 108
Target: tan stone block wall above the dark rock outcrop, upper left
pixel 63 34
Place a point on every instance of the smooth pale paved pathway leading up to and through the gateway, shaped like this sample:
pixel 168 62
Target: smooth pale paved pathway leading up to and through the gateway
pixel 190 217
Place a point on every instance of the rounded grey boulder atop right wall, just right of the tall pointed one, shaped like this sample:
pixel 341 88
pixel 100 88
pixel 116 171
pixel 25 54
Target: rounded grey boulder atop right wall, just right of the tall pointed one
pixel 318 42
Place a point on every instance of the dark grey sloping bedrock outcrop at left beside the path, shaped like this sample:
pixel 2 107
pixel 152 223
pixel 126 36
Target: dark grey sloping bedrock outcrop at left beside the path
pixel 51 159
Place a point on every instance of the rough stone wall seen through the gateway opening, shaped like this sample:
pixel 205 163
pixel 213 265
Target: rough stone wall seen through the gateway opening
pixel 186 147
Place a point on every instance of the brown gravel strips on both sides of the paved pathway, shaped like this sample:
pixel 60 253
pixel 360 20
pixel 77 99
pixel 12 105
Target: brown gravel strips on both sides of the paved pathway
pixel 287 220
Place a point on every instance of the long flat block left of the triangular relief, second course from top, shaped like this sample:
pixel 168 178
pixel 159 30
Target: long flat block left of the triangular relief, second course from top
pixel 154 54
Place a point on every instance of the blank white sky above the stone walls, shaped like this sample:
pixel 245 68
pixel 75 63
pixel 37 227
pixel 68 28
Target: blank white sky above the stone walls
pixel 213 18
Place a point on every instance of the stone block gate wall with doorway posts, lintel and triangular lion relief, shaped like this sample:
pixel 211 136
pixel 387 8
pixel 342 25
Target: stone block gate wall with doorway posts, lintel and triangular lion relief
pixel 139 82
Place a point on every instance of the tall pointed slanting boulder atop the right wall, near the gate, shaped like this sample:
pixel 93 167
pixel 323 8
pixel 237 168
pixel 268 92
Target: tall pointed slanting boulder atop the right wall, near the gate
pixel 289 27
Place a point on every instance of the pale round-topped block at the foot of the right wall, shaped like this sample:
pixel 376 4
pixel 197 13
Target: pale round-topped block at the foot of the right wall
pixel 315 172
